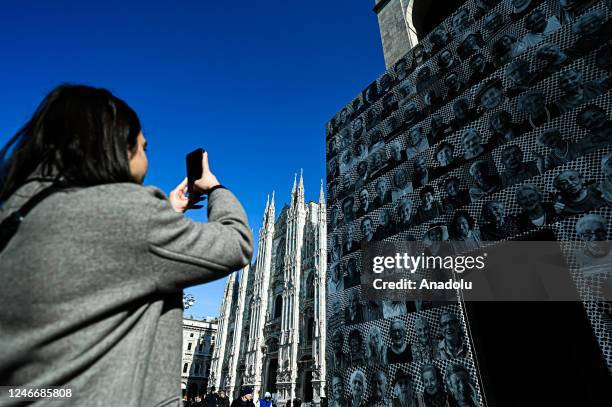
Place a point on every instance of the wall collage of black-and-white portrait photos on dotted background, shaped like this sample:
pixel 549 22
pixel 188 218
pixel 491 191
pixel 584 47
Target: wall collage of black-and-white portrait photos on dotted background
pixel 496 126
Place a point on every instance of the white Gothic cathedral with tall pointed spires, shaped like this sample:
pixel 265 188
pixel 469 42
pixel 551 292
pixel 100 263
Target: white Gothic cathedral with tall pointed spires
pixel 272 322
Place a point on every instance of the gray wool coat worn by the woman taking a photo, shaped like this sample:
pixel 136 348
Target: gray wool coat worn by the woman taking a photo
pixel 91 289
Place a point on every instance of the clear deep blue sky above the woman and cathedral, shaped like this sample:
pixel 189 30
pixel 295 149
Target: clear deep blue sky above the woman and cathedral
pixel 253 82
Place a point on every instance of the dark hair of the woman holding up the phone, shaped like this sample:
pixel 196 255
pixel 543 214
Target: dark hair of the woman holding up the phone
pixel 78 134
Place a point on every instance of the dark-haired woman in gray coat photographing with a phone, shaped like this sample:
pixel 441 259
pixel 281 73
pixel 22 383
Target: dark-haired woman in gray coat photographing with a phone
pixel 103 261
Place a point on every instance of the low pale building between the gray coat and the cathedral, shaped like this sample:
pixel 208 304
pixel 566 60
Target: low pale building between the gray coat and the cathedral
pixel 198 345
